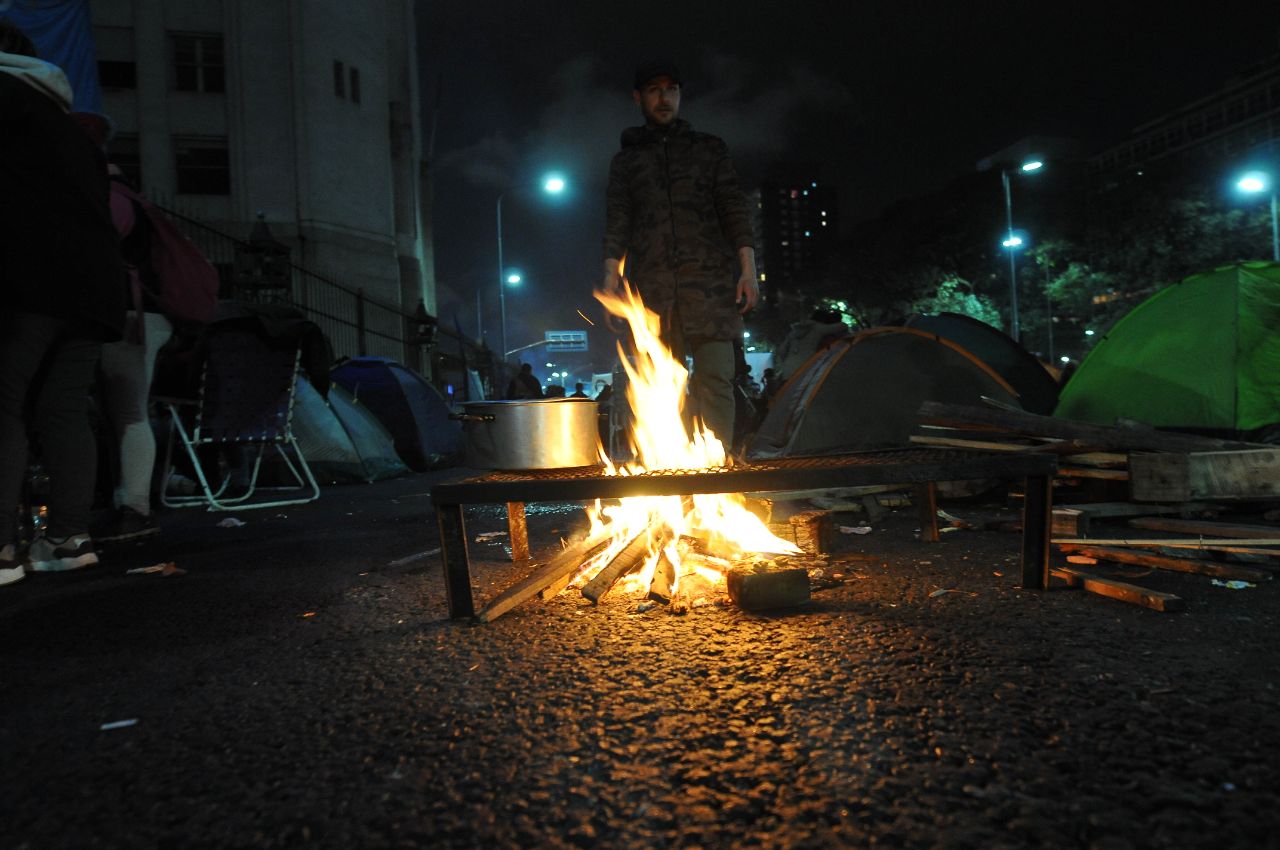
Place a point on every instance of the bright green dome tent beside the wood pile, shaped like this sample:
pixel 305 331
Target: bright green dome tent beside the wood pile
pixel 1200 355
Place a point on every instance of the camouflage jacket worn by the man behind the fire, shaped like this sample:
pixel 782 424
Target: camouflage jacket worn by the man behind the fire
pixel 678 213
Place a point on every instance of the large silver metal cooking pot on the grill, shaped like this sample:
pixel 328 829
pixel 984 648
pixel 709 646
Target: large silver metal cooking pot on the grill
pixel 531 435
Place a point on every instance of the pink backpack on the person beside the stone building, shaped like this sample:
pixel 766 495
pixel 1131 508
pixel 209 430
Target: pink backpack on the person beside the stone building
pixel 188 282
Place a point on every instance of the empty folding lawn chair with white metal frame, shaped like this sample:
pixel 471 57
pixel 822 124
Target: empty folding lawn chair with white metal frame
pixel 245 406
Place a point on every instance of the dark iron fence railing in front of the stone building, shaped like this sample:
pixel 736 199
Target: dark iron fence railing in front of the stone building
pixel 355 322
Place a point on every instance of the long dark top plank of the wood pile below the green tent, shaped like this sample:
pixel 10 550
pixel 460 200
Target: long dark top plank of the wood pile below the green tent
pixel 1100 436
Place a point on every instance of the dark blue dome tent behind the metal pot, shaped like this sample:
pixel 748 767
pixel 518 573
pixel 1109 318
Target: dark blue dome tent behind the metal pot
pixel 408 406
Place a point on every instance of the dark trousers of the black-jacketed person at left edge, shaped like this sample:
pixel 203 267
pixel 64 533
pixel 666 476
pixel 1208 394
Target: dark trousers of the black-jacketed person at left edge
pixel 47 373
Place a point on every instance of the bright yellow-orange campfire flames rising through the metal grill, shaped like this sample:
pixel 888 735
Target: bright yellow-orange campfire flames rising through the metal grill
pixel 720 523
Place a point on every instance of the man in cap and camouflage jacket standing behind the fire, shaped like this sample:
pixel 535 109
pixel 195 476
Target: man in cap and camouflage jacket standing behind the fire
pixel 676 212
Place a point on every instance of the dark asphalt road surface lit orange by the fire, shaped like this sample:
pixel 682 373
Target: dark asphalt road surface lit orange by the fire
pixel 303 687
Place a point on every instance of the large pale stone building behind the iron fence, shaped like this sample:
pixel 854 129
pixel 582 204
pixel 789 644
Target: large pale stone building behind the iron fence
pixel 301 112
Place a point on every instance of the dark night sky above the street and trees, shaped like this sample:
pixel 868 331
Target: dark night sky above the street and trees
pixel 890 99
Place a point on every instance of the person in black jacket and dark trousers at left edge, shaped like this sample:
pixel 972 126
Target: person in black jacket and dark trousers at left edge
pixel 65 294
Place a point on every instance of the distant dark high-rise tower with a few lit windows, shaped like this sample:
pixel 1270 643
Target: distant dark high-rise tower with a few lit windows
pixel 799 230
